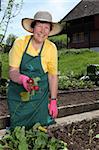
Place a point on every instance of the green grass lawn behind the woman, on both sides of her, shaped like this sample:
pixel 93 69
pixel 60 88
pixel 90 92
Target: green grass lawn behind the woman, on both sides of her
pixel 75 61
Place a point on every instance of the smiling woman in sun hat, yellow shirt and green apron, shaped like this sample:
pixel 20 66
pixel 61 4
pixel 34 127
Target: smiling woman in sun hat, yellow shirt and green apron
pixel 33 73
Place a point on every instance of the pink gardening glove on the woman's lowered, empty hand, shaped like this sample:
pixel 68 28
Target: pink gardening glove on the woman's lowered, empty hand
pixel 53 110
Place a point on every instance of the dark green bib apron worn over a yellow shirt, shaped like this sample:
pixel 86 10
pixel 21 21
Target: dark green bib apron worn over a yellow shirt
pixel 36 109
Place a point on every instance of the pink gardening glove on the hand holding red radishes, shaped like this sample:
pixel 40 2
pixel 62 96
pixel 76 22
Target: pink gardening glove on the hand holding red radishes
pixel 24 81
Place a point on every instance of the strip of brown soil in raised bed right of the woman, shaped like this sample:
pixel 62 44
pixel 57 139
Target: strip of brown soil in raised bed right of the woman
pixel 74 97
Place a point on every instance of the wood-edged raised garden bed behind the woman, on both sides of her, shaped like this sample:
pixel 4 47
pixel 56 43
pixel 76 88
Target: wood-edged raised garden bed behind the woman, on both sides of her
pixel 70 102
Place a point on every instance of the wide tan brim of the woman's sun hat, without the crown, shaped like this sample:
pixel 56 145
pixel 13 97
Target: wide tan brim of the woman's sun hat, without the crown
pixel 56 27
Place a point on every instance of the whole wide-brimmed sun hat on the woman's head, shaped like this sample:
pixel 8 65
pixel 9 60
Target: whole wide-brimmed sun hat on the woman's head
pixel 42 16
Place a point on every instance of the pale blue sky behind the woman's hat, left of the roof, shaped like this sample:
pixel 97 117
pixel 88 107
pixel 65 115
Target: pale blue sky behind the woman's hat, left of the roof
pixel 58 9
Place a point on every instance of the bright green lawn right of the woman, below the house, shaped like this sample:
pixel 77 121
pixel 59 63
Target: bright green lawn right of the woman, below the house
pixel 77 62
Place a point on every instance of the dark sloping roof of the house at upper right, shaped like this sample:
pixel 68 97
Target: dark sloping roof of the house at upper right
pixel 82 9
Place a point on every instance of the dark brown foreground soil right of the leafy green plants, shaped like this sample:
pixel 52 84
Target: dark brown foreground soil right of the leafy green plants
pixel 80 135
